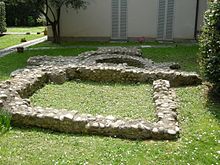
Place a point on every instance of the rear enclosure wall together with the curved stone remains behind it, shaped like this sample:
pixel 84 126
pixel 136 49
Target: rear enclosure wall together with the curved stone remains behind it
pixel 114 65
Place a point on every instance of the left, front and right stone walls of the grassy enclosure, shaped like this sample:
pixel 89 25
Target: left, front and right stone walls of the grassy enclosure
pixel 72 122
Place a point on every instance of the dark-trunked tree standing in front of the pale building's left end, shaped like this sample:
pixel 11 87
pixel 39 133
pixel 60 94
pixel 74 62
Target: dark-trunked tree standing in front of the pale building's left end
pixel 51 9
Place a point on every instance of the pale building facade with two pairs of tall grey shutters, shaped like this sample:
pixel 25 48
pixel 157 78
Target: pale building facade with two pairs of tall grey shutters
pixel 105 20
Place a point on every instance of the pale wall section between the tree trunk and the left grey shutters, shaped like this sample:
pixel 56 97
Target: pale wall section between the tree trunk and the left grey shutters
pixel 94 21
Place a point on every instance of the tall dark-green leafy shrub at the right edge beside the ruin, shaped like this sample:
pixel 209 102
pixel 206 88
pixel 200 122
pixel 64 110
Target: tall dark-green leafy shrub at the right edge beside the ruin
pixel 210 45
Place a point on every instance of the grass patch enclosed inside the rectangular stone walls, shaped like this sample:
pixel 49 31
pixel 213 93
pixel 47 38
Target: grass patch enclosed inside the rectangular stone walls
pixel 121 100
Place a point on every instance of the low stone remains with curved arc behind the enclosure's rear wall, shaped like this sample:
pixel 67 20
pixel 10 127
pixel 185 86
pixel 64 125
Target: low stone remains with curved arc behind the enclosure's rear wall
pixel 129 57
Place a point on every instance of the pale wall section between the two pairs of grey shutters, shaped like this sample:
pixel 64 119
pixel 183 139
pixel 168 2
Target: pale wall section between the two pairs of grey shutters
pixel 142 18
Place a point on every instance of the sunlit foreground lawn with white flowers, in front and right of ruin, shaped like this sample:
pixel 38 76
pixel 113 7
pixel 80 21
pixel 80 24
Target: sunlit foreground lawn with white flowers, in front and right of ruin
pixel 198 142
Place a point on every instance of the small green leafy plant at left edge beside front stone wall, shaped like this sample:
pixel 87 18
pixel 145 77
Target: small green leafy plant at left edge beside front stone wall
pixel 5 121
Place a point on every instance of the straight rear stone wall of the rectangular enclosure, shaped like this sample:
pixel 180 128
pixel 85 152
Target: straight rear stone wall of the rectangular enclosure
pixel 123 74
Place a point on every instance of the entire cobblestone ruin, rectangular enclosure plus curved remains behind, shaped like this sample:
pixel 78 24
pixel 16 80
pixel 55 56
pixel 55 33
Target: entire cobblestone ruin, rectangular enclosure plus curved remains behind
pixel 105 64
